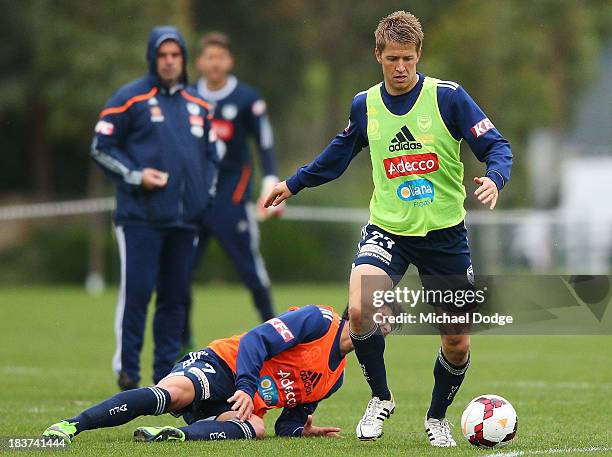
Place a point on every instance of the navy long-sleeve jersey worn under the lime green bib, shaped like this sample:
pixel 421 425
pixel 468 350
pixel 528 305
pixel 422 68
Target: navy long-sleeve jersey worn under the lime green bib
pixel 460 113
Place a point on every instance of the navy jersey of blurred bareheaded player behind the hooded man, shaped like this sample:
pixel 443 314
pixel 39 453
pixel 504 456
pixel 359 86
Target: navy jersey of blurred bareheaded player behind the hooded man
pixel 239 113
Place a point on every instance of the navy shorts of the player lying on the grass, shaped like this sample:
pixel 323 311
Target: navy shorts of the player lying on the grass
pixel 214 383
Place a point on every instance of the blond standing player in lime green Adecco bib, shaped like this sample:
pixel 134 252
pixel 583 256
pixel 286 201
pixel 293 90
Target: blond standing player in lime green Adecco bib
pixel 413 125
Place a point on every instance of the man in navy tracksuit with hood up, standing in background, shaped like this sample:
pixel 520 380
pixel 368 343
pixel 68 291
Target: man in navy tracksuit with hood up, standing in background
pixel 154 141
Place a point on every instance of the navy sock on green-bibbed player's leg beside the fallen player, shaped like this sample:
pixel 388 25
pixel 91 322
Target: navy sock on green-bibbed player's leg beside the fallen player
pixel 370 349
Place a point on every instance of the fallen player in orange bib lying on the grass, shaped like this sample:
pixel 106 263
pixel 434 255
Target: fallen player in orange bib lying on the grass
pixel 222 391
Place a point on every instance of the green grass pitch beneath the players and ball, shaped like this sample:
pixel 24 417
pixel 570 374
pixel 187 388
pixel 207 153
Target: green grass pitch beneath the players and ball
pixel 57 344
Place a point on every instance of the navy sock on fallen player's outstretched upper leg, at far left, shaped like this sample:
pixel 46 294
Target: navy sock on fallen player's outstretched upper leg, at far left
pixel 122 408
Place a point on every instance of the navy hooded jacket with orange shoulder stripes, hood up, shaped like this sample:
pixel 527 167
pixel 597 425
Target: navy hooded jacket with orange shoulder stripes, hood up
pixel 147 125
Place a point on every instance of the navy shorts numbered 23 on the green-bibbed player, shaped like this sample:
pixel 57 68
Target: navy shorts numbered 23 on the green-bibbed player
pixel 442 257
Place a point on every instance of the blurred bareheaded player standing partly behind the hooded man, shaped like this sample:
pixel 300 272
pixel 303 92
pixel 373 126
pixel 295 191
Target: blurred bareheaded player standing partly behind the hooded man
pixel 239 113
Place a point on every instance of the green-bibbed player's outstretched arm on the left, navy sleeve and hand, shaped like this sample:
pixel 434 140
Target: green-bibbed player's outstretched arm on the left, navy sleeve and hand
pixel 332 161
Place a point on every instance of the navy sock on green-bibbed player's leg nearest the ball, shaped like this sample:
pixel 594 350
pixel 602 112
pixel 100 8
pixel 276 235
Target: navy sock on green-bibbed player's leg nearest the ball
pixel 447 380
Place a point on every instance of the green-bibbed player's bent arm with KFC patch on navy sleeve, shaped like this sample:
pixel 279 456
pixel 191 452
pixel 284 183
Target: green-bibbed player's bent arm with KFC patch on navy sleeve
pixel 466 120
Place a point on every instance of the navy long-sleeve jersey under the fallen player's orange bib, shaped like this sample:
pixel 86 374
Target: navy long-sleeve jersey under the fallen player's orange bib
pixel 264 342
